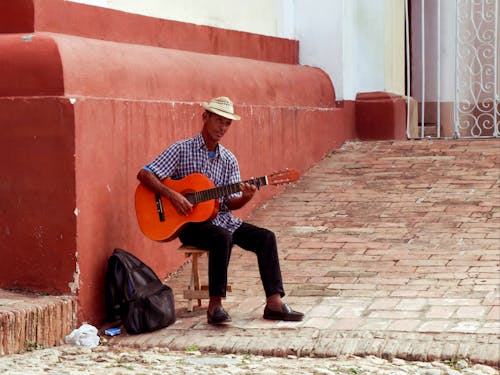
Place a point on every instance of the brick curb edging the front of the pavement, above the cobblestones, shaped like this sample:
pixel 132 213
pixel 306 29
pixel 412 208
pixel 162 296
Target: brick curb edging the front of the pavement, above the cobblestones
pixel 317 343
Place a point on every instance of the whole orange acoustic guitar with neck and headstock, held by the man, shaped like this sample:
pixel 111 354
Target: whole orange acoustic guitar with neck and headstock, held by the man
pixel 160 221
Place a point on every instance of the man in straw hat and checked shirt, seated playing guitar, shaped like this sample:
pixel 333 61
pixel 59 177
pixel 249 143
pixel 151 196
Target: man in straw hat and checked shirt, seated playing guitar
pixel 204 154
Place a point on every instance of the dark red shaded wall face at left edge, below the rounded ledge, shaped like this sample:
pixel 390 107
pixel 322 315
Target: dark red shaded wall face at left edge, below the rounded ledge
pixel 37 191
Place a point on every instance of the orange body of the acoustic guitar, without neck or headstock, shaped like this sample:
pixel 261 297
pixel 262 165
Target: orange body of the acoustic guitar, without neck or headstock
pixel 150 221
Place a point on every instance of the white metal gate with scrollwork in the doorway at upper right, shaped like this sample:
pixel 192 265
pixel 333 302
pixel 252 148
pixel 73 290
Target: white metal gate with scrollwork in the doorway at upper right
pixel 453 68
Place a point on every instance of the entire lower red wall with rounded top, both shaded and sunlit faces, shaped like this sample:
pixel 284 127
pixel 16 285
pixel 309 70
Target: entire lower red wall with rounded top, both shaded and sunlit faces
pixel 89 113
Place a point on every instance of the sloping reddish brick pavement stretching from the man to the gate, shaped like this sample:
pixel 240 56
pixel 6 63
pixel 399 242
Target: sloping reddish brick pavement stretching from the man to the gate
pixel 390 248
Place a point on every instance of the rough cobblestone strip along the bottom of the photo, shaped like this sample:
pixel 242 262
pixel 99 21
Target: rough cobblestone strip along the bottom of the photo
pixel 72 360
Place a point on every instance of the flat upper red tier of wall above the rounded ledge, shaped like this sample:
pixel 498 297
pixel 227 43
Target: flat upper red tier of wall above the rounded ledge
pixel 70 18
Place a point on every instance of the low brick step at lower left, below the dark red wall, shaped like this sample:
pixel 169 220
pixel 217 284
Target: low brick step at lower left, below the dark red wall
pixel 29 321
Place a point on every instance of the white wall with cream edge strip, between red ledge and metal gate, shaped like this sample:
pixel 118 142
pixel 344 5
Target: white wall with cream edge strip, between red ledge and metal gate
pixel 359 43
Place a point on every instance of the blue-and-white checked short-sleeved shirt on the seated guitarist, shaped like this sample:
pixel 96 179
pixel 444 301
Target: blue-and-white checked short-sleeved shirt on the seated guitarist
pixel 190 156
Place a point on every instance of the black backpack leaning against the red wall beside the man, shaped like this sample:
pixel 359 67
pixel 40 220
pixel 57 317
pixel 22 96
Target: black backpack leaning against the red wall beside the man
pixel 135 295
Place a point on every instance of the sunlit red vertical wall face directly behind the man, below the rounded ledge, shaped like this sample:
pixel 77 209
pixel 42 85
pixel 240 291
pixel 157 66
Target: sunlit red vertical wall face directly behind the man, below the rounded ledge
pixel 266 140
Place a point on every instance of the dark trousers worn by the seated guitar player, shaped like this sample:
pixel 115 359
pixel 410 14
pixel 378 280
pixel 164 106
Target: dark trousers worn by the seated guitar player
pixel 220 241
